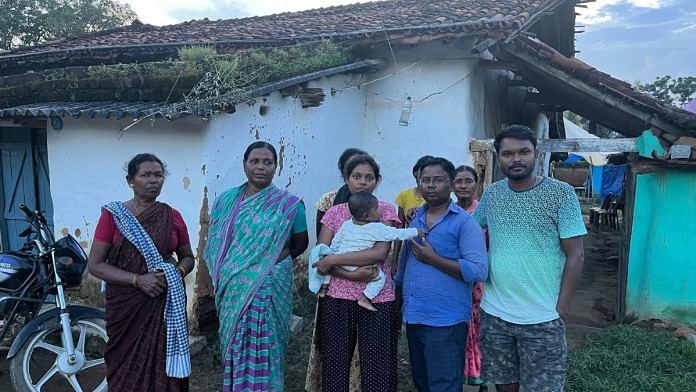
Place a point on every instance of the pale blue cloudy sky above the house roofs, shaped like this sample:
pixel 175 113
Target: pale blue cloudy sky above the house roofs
pixel 633 40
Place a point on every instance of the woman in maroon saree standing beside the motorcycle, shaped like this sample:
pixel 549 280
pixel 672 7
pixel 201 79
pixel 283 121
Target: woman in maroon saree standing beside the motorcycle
pixel 136 352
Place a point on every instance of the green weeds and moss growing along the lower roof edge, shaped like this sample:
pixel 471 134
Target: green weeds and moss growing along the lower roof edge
pixel 200 81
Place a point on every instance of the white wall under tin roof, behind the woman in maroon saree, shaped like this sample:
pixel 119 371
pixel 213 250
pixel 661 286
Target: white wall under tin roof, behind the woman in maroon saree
pixel 87 161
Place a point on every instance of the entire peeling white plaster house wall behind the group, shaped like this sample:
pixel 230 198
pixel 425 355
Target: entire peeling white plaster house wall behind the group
pixel 87 157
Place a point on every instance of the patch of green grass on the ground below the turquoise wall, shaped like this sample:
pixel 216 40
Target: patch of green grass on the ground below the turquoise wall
pixel 628 358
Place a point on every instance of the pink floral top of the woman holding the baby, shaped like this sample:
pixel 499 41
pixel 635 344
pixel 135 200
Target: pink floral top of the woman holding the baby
pixel 346 289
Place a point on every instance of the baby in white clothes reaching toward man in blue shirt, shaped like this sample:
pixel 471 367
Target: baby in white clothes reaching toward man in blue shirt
pixel 359 233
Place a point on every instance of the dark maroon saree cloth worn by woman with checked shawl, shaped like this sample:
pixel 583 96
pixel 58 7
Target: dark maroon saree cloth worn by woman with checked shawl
pixel 136 353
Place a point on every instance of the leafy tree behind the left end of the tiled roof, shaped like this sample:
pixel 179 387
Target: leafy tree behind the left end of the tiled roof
pixel 30 22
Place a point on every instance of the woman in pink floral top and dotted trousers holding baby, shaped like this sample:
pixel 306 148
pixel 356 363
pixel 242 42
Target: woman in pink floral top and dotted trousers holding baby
pixel 341 322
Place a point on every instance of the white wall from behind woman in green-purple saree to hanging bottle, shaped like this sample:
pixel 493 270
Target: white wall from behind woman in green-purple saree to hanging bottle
pixel 364 117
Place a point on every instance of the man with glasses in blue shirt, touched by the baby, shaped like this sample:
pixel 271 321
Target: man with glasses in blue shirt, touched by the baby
pixel 435 273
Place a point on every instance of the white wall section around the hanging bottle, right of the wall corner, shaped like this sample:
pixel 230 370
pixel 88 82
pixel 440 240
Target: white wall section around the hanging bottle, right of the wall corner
pixel 441 122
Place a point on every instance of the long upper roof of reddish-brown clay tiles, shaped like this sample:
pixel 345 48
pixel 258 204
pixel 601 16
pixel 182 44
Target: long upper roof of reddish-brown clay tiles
pixel 347 22
